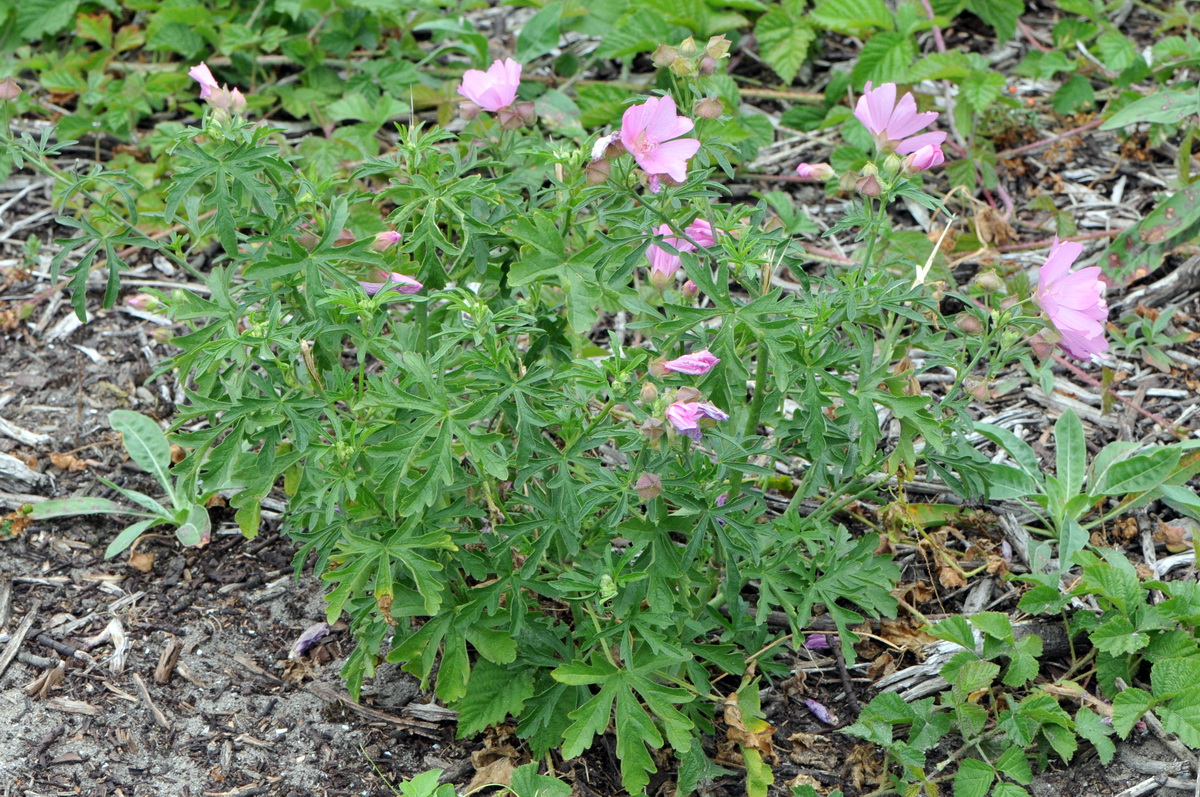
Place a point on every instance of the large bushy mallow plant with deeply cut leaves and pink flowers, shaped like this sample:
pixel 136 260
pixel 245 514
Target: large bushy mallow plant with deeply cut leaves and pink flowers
pixel 530 399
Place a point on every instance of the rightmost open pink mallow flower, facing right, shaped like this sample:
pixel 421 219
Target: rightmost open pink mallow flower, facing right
pixel 1075 303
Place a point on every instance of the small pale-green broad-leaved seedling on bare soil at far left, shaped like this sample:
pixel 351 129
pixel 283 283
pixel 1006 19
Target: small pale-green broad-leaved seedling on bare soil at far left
pixel 149 448
